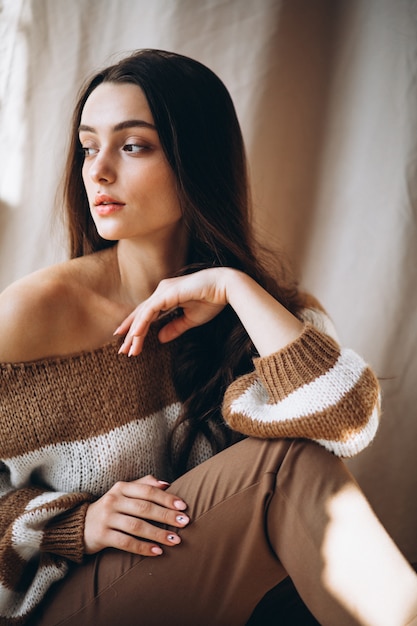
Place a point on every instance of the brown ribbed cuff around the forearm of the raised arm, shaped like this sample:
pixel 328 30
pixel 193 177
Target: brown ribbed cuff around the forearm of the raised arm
pixel 299 363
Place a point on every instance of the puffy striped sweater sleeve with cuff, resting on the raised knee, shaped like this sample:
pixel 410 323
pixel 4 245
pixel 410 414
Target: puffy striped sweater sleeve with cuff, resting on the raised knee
pixel 310 389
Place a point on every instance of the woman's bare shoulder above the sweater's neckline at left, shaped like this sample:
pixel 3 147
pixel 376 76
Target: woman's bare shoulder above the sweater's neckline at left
pixel 56 311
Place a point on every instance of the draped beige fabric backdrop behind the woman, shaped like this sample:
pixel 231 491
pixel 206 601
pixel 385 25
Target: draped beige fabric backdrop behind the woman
pixel 326 93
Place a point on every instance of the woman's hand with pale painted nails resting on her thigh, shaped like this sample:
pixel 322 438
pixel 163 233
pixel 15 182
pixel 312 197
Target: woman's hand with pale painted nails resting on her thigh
pixel 123 518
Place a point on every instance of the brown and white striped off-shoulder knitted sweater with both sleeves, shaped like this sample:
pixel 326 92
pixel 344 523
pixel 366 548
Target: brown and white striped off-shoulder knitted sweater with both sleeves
pixel 71 426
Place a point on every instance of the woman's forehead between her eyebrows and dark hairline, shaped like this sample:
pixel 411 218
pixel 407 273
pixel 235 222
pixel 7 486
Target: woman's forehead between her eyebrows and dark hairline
pixel 112 103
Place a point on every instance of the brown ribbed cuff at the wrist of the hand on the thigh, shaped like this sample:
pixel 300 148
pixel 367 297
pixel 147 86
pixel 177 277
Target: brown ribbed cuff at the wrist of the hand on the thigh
pixel 65 535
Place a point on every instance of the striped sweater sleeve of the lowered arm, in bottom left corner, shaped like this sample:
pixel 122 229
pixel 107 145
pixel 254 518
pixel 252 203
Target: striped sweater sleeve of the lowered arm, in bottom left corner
pixel 39 531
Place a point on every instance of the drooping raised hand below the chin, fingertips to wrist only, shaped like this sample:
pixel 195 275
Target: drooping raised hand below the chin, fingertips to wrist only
pixel 200 296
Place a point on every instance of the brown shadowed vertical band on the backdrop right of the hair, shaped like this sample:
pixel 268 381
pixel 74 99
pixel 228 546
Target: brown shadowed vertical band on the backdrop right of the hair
pixel 290 129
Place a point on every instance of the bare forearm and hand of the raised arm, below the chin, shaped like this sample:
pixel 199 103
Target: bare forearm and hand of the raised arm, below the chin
pixel 200 297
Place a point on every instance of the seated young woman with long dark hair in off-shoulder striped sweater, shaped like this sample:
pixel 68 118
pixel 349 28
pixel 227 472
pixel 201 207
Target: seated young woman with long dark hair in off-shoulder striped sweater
pixel 123 499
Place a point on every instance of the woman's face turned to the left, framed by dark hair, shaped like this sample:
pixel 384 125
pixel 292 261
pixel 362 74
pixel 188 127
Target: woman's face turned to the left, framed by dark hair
pixel 131 188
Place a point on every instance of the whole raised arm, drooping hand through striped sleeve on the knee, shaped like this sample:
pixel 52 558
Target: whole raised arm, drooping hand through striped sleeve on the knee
pixel 304 384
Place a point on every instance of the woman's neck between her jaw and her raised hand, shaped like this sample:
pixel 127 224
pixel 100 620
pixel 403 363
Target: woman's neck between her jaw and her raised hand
pixel 142 265
